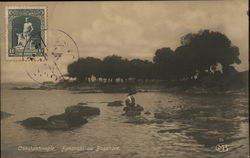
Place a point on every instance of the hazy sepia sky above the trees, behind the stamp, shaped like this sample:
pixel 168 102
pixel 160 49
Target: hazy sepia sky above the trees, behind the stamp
pixel 136 29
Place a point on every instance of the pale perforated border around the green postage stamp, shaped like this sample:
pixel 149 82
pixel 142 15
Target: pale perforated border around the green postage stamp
pixel 45 8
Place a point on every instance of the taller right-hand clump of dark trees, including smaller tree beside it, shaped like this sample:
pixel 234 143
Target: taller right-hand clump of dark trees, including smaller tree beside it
pixel 198 56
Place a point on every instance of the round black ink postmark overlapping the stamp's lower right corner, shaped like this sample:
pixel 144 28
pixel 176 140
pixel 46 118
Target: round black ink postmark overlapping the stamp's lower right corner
pixel 52 67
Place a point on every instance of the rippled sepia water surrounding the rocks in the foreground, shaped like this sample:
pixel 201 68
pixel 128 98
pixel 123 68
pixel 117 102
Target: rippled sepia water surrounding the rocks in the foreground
pixel 199 123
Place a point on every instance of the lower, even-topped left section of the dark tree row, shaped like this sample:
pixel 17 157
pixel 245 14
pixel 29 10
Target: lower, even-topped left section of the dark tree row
pixel 110 69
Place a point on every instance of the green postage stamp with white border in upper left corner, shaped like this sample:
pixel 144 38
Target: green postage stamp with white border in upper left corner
pixel 26 32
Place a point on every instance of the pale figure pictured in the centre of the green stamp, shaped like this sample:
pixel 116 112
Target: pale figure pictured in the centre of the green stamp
pixel 24 37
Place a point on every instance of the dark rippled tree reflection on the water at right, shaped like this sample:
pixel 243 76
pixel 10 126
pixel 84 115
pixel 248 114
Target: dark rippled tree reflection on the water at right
pixel 211 119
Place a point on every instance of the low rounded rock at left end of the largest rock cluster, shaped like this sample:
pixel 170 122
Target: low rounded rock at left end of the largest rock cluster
pixel 34 122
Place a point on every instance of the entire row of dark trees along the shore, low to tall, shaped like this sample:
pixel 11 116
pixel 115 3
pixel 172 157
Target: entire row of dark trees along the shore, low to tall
pixel 200 54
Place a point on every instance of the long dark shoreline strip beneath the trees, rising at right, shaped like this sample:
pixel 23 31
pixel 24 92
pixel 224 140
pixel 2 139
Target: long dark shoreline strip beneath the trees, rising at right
pixel 236 83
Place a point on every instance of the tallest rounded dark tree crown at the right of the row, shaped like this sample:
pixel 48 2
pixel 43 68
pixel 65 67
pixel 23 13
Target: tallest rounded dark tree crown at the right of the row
pixel 205 50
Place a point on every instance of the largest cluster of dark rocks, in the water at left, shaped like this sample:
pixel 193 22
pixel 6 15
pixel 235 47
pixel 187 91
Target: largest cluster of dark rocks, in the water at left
pixel 74 116
